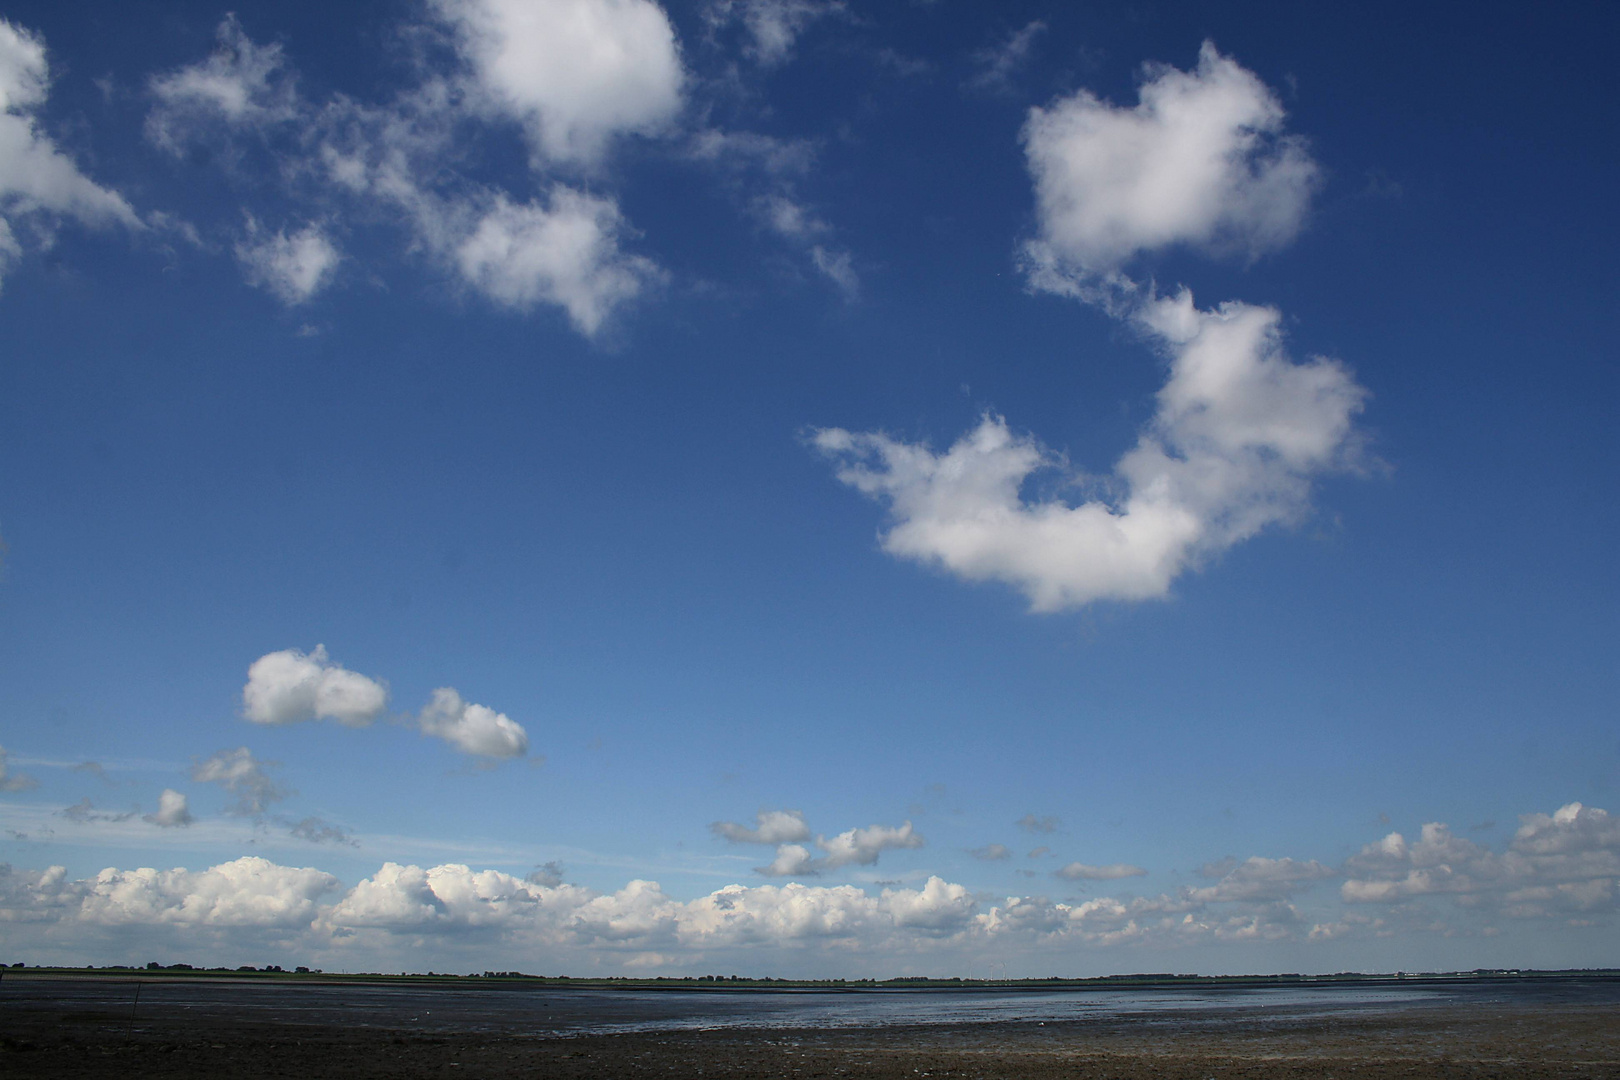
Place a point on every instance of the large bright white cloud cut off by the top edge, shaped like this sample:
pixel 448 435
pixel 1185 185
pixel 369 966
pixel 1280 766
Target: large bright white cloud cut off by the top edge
pixel 574 72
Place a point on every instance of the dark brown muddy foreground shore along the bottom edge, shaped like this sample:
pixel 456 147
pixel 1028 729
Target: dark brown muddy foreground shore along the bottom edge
pixel 1444 1040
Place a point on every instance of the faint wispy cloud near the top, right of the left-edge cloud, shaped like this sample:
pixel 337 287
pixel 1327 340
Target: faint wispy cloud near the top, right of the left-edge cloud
pixel 242 85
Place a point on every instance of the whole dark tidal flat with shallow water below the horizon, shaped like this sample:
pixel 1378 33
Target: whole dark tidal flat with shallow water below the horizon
pixel 98 1027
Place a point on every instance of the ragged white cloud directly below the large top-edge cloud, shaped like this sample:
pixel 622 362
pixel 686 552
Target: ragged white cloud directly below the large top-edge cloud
pixel 563 253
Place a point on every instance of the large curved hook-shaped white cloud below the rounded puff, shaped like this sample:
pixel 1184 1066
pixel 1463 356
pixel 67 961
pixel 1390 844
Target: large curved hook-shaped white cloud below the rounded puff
pixel 1238 436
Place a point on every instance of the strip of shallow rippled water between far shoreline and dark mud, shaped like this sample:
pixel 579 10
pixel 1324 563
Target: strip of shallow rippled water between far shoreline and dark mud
pixel 581 1011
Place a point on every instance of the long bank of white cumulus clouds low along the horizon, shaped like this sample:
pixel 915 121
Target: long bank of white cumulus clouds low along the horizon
pixel 1556 867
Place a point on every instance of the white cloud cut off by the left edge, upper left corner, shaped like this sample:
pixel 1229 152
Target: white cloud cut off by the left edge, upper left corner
pixel 38 184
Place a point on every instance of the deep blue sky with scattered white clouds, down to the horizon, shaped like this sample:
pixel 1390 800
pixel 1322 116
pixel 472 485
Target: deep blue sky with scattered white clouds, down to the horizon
pixel 927 487
